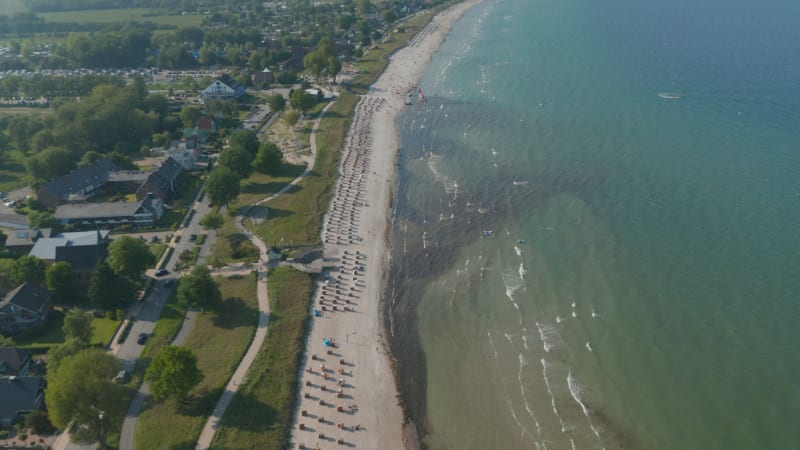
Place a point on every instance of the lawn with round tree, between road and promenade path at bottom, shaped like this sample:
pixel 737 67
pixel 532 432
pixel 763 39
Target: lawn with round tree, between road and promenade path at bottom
pixel 219 338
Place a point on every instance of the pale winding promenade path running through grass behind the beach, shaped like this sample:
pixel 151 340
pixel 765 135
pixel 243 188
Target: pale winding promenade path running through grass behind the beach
pixel 239 376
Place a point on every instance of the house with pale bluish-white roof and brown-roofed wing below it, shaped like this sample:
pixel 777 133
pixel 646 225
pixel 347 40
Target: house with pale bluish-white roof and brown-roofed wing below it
pixel 81 250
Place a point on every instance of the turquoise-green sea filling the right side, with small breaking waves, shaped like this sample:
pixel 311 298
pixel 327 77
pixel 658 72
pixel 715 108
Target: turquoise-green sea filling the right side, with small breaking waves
pixel 641 288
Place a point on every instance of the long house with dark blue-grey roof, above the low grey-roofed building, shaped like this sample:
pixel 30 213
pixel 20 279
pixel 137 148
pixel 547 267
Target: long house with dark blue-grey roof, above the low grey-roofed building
pixel 78 185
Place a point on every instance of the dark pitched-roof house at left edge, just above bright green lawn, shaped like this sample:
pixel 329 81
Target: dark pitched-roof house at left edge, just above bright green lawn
pixel 25 309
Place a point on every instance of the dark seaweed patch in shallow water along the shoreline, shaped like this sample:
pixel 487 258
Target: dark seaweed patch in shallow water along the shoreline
pixel 487 203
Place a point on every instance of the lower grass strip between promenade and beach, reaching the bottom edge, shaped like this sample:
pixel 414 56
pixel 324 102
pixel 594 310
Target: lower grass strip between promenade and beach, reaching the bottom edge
pixel 260 414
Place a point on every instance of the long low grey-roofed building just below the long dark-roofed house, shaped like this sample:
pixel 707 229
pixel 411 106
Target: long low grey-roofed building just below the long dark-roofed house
pixel 145 212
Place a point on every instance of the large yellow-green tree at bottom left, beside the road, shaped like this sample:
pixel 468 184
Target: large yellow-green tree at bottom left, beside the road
pixel 80 390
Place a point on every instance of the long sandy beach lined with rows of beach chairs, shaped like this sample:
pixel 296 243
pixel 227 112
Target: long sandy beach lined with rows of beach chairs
pixel 348 396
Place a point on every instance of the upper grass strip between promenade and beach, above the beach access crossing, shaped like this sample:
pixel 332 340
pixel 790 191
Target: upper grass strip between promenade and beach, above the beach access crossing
pixel 296 216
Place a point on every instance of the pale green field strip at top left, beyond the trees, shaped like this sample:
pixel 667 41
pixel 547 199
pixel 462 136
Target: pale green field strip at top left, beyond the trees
pixel 121 15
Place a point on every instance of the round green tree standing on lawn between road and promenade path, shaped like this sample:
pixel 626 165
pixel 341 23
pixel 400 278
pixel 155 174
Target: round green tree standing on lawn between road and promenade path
pixel 173 372
